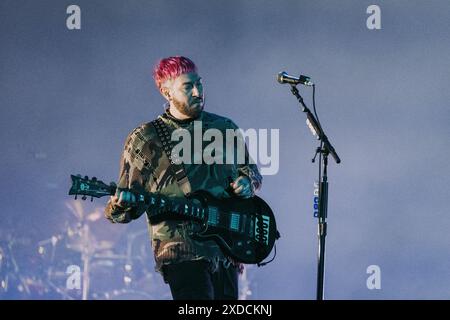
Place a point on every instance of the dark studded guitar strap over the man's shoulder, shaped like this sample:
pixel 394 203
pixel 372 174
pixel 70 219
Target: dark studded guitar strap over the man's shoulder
pixel 178 169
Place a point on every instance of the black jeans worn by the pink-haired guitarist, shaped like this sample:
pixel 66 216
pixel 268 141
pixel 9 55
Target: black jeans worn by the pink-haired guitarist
pixel 193 280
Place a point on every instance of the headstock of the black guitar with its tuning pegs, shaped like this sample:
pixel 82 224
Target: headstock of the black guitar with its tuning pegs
pixel 90 187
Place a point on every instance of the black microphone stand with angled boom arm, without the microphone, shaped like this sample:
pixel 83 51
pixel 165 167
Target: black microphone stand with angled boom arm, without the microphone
pixel 325 149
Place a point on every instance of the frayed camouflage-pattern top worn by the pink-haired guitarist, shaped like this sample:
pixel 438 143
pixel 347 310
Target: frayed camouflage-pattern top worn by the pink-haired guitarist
pixel 145 167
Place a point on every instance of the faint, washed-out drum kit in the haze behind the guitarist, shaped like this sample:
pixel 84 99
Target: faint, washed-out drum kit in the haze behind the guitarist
pixel 90 259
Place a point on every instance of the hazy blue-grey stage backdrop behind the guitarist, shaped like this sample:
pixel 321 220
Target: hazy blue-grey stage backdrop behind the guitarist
pixel 69 98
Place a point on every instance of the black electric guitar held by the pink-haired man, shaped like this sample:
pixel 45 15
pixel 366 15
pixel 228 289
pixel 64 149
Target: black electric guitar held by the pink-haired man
pixel 245 229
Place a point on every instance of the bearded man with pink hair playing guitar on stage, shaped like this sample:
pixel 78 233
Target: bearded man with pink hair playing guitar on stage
pixel 193 269
